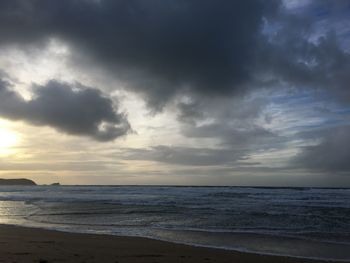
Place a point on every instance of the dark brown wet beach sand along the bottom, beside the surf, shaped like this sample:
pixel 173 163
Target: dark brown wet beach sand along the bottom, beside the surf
pixel 19 244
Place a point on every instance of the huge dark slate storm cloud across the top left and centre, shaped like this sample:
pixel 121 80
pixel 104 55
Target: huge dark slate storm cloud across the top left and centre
pixel 157 47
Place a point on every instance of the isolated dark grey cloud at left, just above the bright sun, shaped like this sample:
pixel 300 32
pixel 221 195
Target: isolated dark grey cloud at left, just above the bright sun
pixel 74 110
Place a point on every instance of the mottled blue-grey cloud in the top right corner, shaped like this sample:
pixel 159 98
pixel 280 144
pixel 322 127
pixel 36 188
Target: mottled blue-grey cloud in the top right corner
pixel 302 55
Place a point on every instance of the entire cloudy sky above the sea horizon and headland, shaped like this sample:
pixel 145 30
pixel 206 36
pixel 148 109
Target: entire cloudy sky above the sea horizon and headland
pixel 185 92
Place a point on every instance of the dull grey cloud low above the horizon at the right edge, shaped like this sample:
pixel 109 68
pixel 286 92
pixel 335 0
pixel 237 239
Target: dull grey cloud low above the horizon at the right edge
pixel 331 155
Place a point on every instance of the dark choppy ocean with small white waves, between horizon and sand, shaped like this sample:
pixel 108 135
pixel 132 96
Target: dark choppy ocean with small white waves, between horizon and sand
pixel 299 222
